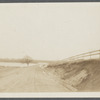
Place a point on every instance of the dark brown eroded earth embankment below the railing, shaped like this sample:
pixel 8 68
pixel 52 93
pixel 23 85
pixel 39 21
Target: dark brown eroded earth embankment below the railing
pixel 82 75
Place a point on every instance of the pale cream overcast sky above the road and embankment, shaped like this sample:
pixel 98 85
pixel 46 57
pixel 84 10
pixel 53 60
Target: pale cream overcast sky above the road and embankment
pixel 49 31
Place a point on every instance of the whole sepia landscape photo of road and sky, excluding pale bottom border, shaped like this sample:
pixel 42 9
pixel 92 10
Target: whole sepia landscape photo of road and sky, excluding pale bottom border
pixel 49 47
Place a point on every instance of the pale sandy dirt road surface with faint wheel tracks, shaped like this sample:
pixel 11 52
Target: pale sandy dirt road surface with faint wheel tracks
pixel 30 79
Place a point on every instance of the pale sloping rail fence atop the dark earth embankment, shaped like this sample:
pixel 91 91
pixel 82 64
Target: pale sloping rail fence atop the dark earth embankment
pixel 84 55
